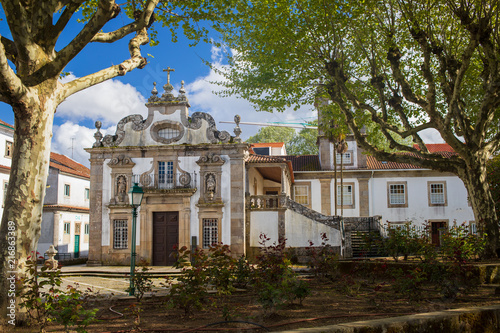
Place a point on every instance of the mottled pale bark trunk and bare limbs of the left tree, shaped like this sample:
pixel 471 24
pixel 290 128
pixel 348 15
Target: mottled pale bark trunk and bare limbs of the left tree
pixel 33 91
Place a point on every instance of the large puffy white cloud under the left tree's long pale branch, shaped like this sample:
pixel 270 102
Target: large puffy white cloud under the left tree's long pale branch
pixel 108 102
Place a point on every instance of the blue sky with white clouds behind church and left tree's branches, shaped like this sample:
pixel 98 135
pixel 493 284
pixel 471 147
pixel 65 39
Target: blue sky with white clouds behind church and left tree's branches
pixel 114 99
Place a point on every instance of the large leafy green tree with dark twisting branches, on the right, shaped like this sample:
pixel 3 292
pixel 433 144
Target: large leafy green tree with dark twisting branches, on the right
pixel 393 67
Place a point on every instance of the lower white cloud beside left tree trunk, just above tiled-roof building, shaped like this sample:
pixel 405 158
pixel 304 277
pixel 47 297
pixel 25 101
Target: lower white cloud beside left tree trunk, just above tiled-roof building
pixel 70 139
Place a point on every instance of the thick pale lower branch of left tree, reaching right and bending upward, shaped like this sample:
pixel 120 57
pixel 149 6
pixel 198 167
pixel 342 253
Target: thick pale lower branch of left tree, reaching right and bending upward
pixel 135 61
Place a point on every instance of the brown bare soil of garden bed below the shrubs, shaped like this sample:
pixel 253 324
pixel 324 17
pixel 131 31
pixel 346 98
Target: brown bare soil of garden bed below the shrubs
pixel 330 302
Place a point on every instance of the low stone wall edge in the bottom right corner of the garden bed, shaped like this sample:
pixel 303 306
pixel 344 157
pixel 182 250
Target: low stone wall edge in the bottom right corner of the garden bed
pixel 481 319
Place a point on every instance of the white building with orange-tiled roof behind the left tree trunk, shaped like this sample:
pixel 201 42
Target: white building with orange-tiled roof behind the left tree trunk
pixel 65 220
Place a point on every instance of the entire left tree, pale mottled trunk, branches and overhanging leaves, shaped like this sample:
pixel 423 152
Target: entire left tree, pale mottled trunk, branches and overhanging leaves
pixel 32 58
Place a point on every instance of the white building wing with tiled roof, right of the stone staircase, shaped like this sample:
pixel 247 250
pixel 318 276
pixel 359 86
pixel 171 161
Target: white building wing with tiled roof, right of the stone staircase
pixel 399 193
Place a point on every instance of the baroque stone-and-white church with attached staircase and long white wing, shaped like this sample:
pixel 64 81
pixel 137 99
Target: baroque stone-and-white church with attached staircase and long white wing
pixel 205 186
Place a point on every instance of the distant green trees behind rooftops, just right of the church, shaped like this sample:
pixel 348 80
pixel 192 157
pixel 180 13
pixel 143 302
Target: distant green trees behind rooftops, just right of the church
pixel 302 143
